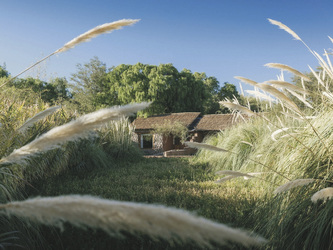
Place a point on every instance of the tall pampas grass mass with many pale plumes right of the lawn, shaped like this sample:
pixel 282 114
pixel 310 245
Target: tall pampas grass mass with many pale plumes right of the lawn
pixel 295 142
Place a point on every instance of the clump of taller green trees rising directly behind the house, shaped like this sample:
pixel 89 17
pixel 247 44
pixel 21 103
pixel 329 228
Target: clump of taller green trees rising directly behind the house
pixel 170 91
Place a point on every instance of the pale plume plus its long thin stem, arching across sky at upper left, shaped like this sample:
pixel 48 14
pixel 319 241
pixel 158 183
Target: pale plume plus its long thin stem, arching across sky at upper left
pixel 101 29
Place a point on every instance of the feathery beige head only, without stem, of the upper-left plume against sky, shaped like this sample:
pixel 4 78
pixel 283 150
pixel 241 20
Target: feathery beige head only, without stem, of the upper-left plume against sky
pixel 101 29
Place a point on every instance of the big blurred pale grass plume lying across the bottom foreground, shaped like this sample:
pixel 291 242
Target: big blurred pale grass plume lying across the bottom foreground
pixel 115 217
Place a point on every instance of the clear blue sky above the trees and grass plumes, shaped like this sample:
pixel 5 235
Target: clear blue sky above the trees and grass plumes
pixel 223 38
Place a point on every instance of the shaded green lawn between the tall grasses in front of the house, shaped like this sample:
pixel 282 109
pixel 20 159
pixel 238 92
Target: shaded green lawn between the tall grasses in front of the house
pixel 175 182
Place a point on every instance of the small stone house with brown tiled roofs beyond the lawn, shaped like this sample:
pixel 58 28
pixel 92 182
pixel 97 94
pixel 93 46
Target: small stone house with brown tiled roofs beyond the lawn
pixel 198 127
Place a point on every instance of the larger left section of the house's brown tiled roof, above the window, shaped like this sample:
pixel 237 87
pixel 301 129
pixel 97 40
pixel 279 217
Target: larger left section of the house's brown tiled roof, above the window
pixel 188 119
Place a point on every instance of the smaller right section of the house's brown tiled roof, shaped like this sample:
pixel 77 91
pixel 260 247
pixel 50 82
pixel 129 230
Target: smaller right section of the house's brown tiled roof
pixel 216 122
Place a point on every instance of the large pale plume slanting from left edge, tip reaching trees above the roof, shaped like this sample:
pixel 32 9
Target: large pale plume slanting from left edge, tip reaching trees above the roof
pixel 79 128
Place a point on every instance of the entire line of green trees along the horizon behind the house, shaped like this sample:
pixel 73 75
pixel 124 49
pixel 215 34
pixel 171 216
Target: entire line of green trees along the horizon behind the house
pixel 96 86
